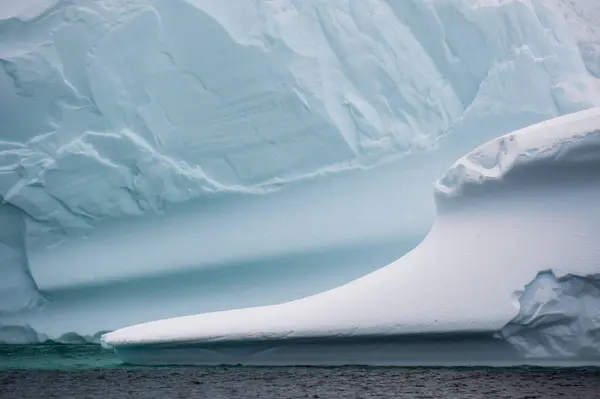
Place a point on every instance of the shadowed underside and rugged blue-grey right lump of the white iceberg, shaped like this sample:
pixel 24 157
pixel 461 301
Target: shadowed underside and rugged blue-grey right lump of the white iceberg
pixel 556 326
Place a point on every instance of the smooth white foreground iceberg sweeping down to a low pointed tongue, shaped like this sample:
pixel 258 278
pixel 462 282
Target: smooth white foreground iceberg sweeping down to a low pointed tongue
pixel 521 205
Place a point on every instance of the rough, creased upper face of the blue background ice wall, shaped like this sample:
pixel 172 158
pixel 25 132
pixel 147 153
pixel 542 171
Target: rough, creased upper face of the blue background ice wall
pixel 283 91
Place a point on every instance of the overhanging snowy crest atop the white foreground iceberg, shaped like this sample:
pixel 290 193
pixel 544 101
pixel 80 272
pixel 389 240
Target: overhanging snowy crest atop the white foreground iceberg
pixel 568 141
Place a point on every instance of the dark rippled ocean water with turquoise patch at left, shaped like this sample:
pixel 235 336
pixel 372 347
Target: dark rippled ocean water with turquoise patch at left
pixel 63 371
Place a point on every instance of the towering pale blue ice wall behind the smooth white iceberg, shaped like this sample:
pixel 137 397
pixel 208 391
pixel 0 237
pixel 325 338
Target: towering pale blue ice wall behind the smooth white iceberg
pixel 168 157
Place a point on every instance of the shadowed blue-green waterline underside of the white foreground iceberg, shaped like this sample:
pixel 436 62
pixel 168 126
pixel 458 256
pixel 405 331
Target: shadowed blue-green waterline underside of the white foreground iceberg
pixel 464 349
